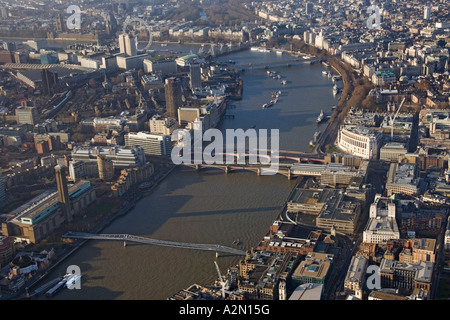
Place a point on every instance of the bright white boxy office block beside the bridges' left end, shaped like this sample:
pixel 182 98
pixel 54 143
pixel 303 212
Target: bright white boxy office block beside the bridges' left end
pixel 152 144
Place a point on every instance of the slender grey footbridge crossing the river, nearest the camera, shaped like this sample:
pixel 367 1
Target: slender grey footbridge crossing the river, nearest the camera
pixel 131 238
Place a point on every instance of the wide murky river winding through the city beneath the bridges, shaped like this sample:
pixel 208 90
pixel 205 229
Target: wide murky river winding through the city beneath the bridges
pixel 209 206
